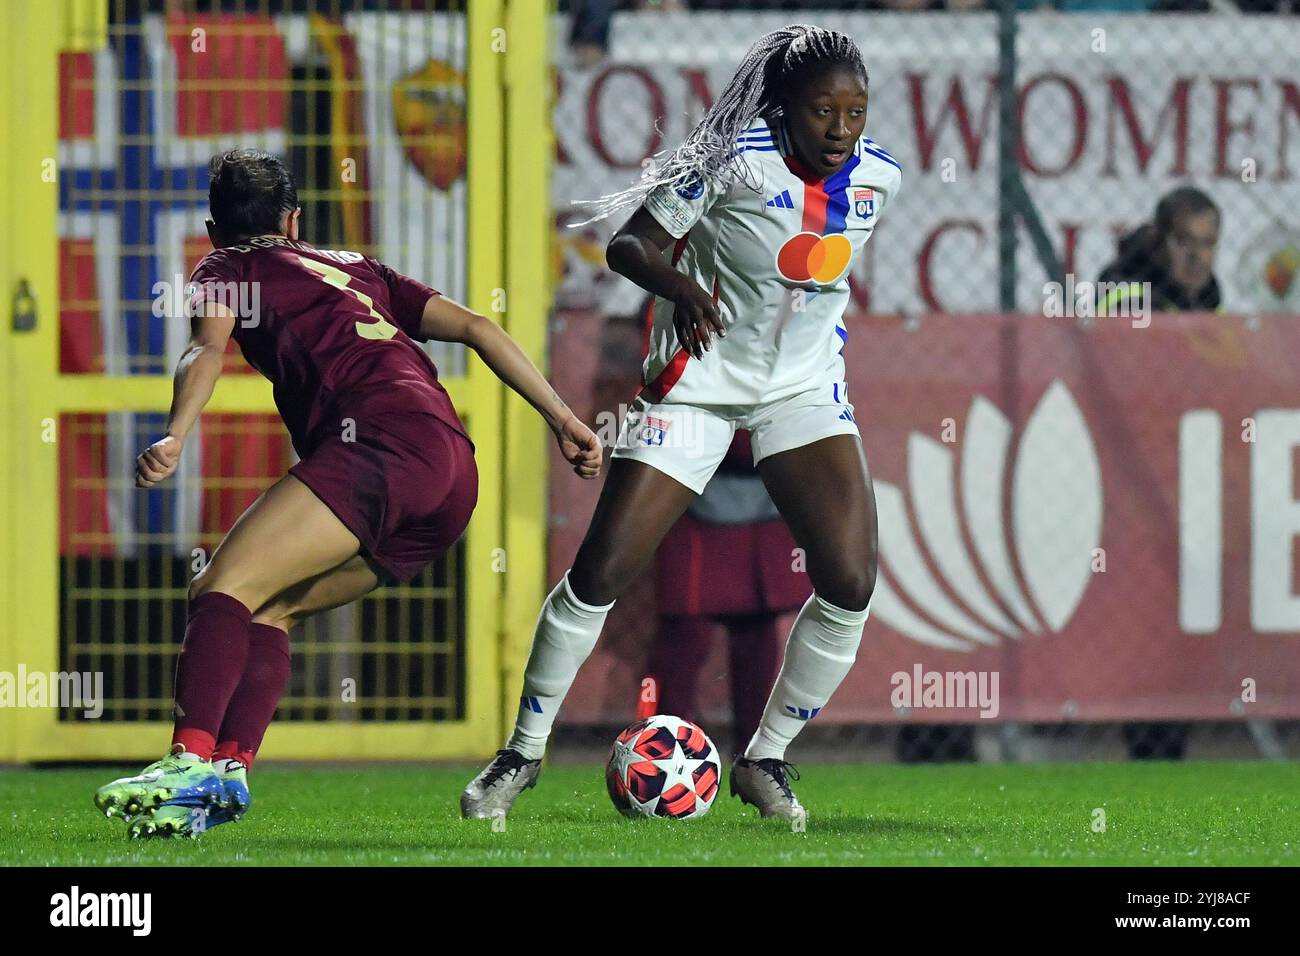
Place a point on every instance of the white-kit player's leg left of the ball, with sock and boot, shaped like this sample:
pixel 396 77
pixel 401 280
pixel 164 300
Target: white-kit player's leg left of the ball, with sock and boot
pixel 638 507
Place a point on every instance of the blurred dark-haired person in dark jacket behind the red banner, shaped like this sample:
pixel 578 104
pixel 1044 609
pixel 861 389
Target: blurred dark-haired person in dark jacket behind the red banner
pixel 1175 254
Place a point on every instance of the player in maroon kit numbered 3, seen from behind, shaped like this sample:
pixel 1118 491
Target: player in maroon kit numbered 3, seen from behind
pixel 387 479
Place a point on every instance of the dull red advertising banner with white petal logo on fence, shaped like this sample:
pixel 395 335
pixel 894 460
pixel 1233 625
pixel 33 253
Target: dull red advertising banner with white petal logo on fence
pixel 1099 522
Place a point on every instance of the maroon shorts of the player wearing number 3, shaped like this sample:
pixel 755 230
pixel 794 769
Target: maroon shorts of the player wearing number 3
pixel 406 487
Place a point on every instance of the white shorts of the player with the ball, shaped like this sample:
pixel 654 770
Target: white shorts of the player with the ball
pixel 688 442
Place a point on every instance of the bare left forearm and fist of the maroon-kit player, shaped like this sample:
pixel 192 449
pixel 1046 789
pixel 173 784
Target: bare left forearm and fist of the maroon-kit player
pixel 196 377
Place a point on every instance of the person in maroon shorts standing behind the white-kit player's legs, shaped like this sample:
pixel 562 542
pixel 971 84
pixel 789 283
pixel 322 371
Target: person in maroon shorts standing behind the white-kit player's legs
pixel 729 561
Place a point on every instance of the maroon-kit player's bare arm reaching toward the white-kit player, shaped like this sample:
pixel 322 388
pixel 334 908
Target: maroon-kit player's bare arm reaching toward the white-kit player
pixel 450 322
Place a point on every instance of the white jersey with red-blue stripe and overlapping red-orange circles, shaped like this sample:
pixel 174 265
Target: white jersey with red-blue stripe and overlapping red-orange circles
pixel 778 265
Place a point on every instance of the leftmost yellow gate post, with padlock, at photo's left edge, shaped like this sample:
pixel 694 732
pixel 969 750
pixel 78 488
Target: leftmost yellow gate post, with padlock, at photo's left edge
pixel 36 34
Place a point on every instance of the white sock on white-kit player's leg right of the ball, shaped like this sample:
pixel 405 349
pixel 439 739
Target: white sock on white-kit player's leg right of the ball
pixel 818 655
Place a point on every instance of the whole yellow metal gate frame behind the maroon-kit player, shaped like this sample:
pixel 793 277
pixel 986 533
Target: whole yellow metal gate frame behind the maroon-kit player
pixel 509 98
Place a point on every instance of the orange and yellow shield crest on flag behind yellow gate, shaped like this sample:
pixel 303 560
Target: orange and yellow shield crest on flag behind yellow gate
pixel 430 113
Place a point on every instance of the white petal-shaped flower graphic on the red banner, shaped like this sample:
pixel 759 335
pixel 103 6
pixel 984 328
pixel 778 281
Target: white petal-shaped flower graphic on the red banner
pixel 1056 505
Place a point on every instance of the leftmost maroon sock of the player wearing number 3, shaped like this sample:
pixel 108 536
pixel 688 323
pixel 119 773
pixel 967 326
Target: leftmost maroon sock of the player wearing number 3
pixel 209 671
